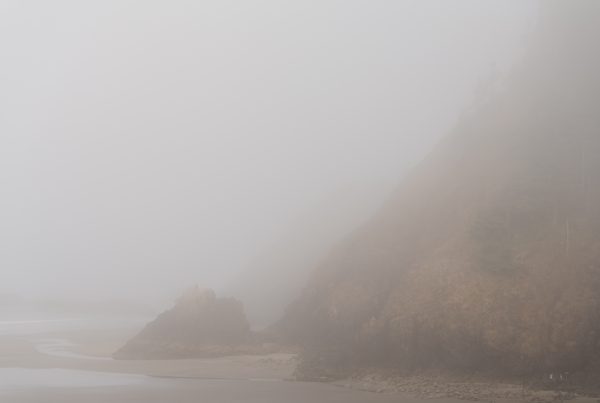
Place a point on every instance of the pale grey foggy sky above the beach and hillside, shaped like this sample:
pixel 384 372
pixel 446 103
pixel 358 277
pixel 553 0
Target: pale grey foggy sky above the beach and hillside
pixel 147 145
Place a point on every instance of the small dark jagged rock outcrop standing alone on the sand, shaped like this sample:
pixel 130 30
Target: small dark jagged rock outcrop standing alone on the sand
pixel 199 325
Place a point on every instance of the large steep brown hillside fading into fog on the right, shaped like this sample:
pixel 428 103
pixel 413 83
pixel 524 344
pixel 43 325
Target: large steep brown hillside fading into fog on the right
pixel 488 257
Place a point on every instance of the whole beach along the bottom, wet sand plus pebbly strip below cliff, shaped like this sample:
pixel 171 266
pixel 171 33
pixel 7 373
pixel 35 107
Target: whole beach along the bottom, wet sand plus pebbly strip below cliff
pixel 70 361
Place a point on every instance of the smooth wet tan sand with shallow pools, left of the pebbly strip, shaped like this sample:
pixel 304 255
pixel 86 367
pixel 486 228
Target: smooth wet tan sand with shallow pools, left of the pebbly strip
pixel 74 366
